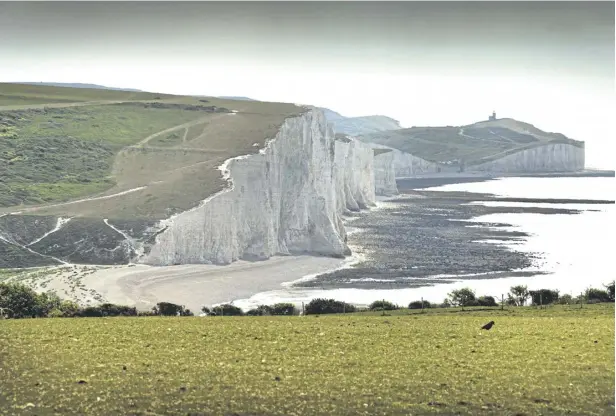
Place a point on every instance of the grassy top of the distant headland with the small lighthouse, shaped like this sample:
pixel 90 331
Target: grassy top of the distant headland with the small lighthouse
pixel 476 143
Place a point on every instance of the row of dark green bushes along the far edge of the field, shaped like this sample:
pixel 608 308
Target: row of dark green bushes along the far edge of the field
pixel 19 301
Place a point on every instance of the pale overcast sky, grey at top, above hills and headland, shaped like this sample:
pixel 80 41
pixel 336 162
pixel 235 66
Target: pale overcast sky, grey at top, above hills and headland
pixel 433 63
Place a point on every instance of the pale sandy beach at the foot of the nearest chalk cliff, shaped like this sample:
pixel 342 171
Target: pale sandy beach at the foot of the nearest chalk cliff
pixel 194 286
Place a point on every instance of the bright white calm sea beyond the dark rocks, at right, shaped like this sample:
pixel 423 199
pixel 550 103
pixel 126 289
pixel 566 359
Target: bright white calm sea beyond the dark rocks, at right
pixel 576 250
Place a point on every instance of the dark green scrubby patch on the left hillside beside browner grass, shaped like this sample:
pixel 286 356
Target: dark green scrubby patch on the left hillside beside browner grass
pixel 59 154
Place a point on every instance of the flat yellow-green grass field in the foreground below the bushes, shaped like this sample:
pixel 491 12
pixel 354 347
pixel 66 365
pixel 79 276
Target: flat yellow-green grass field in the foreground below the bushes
pixel 553 361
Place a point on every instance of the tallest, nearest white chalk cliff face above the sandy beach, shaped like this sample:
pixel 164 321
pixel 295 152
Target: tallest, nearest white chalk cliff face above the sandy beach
pixel 282 201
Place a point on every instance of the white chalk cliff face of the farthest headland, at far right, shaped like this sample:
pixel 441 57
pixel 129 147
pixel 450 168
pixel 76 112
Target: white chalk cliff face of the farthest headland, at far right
pixel 548 158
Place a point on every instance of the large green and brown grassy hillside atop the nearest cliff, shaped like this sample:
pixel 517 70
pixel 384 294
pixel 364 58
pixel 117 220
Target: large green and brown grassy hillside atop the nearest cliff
pixel 160 152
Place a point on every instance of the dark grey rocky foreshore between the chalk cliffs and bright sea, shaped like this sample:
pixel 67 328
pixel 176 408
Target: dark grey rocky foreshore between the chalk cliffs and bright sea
pixel 423 237
